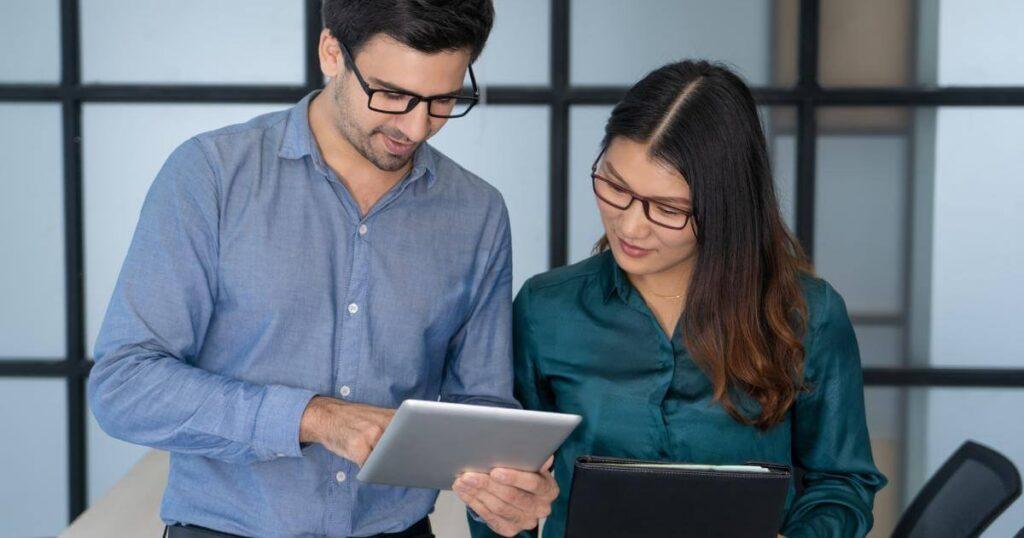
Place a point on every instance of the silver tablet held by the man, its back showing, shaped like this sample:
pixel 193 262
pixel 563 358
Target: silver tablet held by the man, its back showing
pixel 430 444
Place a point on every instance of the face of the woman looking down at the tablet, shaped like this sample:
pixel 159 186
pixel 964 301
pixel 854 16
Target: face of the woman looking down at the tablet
pixel 642 247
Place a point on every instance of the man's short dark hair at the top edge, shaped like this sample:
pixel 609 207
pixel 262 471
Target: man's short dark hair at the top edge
pixel 429 26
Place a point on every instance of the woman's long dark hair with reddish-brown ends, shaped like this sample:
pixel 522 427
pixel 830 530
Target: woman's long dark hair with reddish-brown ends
pixel 745 315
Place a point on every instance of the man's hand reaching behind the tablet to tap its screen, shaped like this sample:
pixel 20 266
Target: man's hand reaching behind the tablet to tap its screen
pixel 351 431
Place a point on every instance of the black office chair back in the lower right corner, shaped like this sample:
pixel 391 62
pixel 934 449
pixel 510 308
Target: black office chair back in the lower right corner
pixel 971 489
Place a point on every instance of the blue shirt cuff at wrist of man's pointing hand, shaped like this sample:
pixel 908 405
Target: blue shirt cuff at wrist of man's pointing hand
pixel 277 432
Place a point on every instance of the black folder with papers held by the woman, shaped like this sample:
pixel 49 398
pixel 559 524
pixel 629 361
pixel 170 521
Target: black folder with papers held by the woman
pixel 613 498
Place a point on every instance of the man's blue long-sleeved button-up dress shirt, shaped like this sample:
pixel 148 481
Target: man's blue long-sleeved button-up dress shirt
pixel 253 283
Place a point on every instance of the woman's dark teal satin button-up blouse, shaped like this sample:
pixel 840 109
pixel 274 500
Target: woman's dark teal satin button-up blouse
pixel 586 343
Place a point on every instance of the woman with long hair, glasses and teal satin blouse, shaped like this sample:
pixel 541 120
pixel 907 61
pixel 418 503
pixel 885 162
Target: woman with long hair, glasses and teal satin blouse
pixel 699 333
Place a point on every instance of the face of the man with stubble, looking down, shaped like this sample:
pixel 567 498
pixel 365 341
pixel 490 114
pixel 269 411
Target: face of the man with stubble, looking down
pixel 389 141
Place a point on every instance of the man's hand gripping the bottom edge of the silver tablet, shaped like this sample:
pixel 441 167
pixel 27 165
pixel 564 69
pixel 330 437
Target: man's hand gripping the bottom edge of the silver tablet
pixel 509 501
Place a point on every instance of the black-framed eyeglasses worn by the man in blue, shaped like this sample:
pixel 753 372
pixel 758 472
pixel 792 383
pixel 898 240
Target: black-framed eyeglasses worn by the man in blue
pixel 400 102
